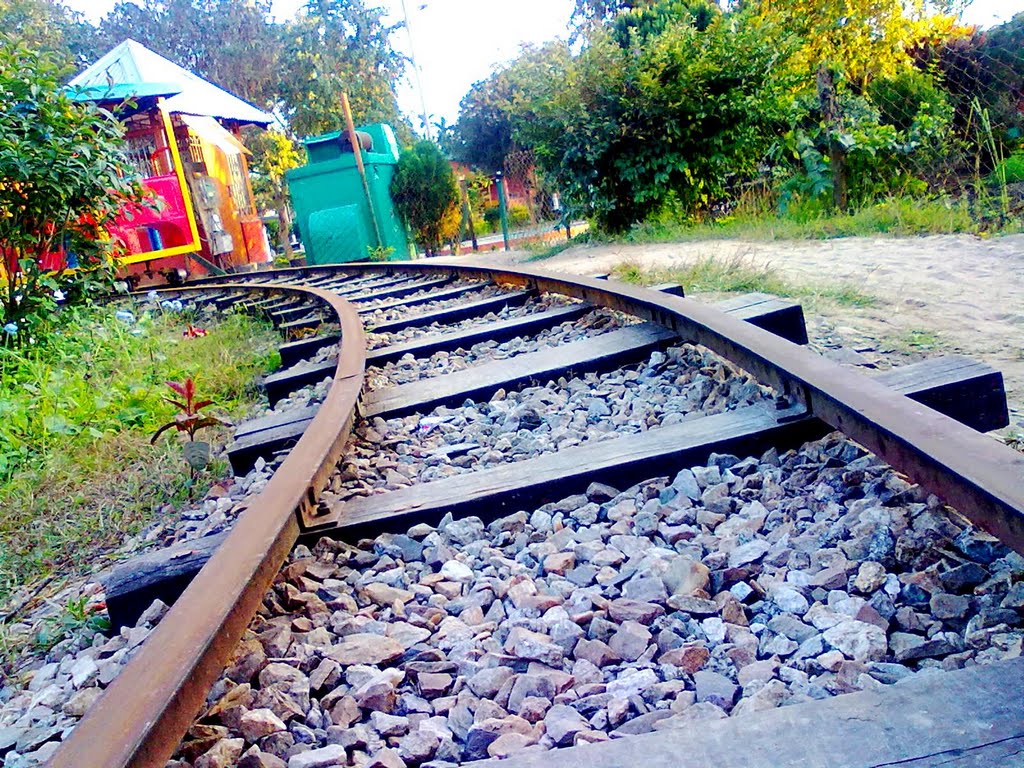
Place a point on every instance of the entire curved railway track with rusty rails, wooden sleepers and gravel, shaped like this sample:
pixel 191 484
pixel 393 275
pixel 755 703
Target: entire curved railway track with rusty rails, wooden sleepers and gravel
pixel 528 511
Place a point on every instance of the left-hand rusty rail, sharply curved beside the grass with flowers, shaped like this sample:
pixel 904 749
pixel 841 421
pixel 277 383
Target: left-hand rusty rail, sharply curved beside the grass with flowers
pixel 148 709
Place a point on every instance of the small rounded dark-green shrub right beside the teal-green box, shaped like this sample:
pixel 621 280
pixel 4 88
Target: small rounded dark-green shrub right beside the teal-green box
pixel 425 195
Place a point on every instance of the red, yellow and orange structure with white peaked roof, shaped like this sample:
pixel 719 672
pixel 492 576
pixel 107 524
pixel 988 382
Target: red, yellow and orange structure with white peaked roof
pixel 183 138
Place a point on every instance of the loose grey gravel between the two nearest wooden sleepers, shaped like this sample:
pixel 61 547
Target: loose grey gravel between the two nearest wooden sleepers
pixel 736 587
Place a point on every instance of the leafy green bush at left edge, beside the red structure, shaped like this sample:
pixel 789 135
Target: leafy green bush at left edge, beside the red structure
pixel 61 184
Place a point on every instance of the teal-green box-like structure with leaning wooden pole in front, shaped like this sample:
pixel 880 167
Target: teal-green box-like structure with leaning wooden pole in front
pixel 330 201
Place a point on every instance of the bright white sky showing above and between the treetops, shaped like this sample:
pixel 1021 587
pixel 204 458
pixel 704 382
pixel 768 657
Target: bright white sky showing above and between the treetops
pixel 459 41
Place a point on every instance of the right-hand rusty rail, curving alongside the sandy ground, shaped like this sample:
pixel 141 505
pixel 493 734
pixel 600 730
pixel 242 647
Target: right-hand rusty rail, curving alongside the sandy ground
pixel 982 478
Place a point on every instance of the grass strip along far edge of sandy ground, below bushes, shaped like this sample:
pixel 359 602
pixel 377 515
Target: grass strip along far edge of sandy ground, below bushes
pixel 901 217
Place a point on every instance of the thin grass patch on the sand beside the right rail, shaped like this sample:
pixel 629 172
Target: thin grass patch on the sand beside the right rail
pixel 739 275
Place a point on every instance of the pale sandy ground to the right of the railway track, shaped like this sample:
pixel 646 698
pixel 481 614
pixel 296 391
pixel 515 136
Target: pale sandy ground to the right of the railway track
pixel 935 295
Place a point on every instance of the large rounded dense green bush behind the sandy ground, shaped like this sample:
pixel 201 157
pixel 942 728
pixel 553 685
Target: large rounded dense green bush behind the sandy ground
pixel 627 134
